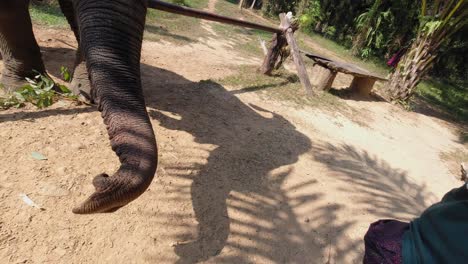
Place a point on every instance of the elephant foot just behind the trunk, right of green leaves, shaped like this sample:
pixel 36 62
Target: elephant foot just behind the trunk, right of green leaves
pixel 80 84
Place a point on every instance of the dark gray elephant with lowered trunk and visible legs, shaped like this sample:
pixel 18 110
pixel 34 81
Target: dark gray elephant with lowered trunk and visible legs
pixel 109 33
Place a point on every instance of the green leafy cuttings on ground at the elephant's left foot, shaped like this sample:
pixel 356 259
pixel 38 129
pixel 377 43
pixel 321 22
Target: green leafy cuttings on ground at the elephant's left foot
pixel 40 91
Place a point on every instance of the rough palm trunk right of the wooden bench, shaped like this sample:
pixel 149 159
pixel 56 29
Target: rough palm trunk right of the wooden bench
pixel 412 67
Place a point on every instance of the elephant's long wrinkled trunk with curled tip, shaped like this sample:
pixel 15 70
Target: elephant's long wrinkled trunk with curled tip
pixel 111 35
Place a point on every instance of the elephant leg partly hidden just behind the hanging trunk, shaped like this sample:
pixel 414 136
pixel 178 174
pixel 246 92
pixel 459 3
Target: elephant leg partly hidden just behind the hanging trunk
pixel 80 84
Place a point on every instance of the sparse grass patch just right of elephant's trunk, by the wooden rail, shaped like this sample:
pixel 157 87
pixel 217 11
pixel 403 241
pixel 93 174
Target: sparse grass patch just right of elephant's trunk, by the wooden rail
pixel 172 27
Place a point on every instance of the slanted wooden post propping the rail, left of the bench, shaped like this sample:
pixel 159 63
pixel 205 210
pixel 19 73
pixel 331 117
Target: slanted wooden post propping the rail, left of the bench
pixel 300 66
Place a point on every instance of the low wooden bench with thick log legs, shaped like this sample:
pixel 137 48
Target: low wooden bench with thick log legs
pixel 326 70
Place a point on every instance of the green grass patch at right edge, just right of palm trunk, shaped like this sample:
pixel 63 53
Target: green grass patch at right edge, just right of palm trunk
pixel 451 98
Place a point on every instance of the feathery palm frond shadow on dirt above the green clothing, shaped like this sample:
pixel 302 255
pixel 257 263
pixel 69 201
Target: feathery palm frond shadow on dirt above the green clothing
pixel 386 191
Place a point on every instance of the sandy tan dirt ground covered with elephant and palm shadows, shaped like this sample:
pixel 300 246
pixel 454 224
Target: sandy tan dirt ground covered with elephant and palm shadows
pixel 240 179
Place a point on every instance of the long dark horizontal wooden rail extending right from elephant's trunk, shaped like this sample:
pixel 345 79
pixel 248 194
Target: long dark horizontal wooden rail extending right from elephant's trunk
pixel 186 11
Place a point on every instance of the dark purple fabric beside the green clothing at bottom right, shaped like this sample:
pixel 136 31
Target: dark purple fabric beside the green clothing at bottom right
pixel 383 242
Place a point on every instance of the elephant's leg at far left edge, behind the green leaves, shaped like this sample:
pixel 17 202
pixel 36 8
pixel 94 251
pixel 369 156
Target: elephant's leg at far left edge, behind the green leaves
pixel 20 52
